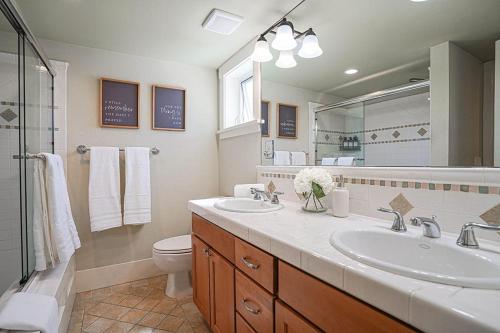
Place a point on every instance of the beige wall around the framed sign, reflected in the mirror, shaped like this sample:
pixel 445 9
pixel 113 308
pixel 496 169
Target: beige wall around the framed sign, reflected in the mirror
pixel 280 93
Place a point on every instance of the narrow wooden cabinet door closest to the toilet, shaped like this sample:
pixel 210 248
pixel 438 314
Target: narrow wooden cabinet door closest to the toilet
pixel 201 277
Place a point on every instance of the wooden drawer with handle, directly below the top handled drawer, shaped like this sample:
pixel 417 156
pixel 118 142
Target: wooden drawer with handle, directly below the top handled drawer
pixel 254 304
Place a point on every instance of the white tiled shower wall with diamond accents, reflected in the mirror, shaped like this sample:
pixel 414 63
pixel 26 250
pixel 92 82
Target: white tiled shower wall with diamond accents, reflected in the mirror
pixel 397 132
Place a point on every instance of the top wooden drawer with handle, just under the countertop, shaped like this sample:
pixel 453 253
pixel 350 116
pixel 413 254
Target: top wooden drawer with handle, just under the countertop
pixel 257 264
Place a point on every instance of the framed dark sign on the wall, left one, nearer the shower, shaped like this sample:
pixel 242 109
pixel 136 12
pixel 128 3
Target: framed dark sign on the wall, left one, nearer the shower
pixel 115 97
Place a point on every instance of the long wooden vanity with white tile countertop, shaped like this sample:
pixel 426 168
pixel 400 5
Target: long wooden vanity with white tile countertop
pixel 278 272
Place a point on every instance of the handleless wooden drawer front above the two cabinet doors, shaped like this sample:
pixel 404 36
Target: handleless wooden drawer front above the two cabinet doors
pixel 218 239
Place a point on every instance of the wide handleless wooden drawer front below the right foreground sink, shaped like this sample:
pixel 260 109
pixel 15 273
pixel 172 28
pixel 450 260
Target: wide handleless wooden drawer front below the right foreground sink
pixel 329 308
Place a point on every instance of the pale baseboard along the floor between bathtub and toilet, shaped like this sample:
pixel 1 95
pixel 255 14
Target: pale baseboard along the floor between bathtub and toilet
pixel 105 276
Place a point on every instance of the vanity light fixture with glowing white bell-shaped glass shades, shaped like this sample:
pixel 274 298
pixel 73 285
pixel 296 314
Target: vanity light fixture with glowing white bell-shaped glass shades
pixel 286 41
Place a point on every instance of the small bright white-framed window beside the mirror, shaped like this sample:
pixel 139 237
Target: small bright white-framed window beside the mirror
pixel 238 95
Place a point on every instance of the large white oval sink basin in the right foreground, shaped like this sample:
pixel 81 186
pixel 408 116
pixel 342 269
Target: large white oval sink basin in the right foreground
pixel 412 255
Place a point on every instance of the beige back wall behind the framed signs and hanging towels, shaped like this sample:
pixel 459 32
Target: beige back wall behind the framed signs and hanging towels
pixel 186 168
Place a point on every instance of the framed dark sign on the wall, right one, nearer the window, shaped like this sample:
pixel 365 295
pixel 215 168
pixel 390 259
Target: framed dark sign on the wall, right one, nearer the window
pixel 174 117
